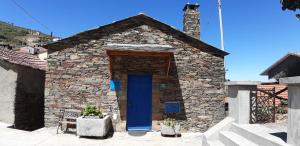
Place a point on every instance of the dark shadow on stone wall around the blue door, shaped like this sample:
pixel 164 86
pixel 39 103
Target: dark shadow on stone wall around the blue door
pixel 164 88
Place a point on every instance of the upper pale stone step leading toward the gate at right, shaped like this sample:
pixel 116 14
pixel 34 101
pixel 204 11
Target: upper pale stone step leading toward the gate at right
pixel 257 135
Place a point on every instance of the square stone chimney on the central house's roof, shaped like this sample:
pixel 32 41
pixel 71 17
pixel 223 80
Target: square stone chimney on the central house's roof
pixel 191 20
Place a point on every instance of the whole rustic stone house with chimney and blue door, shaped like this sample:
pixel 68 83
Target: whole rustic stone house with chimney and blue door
pixel 140 71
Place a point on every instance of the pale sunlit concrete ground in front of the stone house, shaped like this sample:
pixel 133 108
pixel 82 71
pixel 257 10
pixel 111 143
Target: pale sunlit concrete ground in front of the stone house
pixel 48 137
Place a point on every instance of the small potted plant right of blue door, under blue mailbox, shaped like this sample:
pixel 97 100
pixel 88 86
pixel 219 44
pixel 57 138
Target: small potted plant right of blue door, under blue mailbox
pixel 170 127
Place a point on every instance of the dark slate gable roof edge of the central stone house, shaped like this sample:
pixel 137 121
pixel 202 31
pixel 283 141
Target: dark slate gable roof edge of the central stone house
pixel 132 22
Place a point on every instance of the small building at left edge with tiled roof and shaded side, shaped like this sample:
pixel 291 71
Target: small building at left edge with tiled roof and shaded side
pixel 22 81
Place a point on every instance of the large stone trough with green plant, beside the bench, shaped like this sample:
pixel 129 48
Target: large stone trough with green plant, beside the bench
pixel 93 123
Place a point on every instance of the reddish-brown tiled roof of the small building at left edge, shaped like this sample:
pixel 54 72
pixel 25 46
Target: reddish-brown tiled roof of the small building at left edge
pixel 22 59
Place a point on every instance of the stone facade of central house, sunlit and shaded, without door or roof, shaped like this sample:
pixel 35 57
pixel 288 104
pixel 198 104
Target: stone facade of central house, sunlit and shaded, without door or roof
pixel 79 73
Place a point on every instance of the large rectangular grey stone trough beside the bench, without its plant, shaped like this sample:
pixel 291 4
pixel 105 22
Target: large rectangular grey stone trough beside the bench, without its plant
pixel 92 126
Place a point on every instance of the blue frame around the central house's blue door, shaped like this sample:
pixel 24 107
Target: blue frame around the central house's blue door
pixel 150 122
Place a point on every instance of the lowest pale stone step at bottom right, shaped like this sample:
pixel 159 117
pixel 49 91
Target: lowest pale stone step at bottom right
pixel 230 138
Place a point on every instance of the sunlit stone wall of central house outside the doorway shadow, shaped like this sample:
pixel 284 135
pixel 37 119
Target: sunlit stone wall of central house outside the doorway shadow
pixel 80 75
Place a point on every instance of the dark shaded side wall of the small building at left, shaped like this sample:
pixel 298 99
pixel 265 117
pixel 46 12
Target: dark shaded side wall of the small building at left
pixel 29 100
